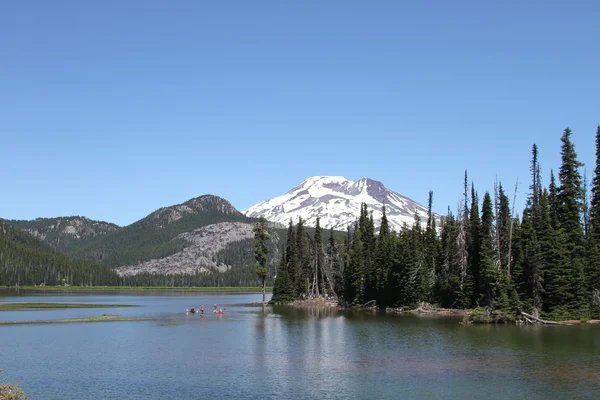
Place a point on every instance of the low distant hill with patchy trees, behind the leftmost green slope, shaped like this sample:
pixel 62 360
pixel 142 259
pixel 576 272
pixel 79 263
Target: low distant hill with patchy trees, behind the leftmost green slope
pixel 65 234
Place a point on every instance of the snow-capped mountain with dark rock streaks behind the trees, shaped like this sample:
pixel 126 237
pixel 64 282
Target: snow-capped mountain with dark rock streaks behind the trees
pixel 337 201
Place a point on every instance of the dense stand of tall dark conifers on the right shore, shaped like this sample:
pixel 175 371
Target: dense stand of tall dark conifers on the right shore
pixel 547 261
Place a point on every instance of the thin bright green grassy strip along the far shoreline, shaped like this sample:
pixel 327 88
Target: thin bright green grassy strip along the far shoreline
pixel 221 289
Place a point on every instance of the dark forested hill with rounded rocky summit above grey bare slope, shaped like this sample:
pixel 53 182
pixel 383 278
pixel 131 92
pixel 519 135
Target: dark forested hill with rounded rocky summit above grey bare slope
pixel 155 236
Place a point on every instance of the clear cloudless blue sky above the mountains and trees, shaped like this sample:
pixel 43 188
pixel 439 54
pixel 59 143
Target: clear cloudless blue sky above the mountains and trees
pixel 112 109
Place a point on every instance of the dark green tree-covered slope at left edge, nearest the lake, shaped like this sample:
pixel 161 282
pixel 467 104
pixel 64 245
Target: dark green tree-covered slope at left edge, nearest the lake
pixel 25 260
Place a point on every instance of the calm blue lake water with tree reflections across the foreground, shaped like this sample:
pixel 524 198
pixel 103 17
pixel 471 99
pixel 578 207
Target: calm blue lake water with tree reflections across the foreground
pixel 286 353
